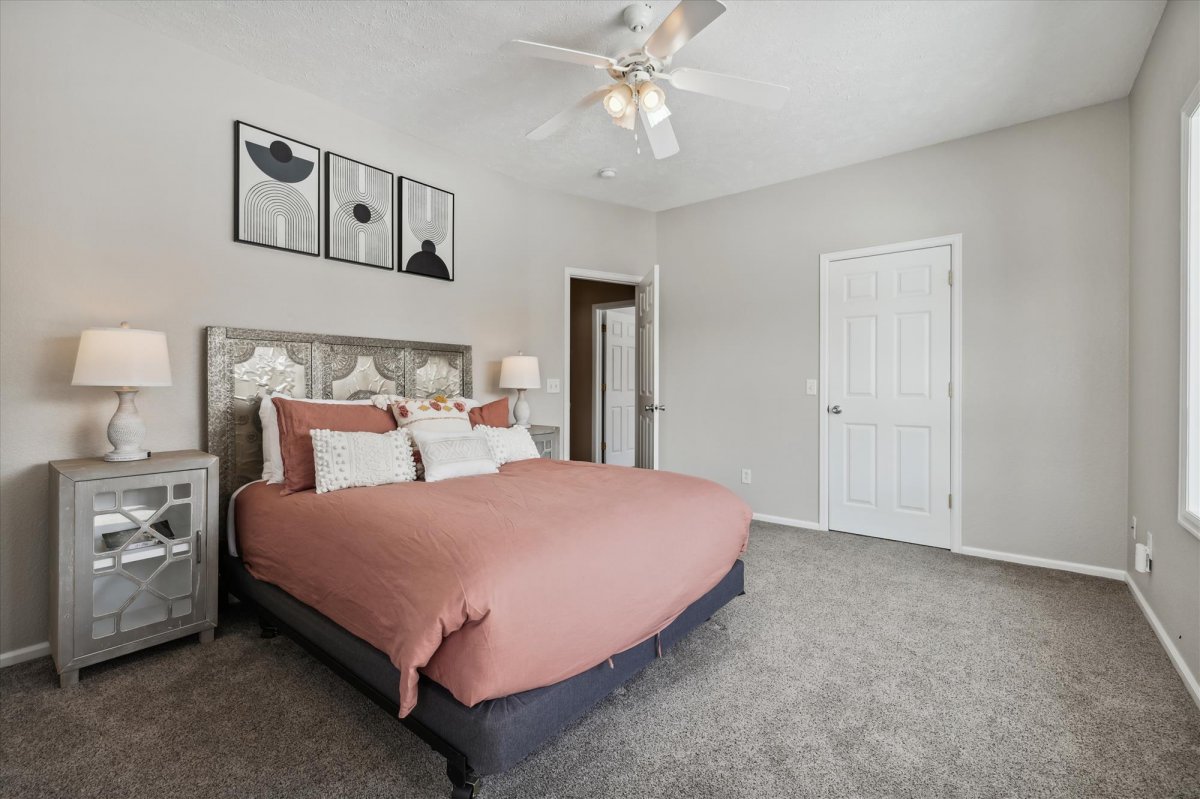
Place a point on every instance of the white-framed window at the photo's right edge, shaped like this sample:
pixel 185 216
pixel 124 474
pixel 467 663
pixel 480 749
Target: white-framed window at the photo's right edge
pixel 1190 314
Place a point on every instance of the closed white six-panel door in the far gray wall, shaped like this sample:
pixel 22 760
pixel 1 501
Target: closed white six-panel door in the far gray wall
pixel 890 395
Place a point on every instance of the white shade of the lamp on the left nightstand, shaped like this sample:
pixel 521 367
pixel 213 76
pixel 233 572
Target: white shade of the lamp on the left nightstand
pixel 123 357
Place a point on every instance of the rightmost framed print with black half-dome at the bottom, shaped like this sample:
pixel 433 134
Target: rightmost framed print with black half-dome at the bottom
pixel 427 231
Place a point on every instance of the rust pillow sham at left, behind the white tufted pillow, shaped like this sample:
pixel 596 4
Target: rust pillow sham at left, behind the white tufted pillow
pixel 298 419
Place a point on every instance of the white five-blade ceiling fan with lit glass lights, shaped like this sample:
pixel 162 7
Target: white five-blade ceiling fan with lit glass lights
pixel 634 93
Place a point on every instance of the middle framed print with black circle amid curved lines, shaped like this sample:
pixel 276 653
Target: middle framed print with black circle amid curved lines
pixel 358 213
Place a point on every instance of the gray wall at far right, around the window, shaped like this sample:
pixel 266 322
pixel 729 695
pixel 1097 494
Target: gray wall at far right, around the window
pixel 1168 76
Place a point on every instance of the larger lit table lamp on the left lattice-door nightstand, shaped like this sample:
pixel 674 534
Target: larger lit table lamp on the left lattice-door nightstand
pixel 128 361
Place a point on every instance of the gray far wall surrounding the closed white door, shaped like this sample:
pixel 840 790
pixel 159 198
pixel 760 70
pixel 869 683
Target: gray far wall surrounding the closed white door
pixel 1043 211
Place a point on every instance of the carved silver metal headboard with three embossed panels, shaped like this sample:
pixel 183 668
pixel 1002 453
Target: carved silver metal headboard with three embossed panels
pixel 247 365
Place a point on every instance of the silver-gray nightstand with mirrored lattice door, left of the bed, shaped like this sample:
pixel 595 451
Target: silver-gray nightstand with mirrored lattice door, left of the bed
pixel 136 552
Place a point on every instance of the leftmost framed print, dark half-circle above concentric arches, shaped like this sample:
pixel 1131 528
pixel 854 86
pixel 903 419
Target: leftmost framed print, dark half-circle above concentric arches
pixel 277 188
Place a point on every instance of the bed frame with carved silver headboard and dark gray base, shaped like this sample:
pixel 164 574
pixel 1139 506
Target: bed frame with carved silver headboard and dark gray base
pixel 247 365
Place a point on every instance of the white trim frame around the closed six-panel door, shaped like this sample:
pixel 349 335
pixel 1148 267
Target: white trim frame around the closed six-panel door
pixel 956 244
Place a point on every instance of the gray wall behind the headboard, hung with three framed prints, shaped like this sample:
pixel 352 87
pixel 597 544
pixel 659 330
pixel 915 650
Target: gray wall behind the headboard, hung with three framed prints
pixel 116 201
